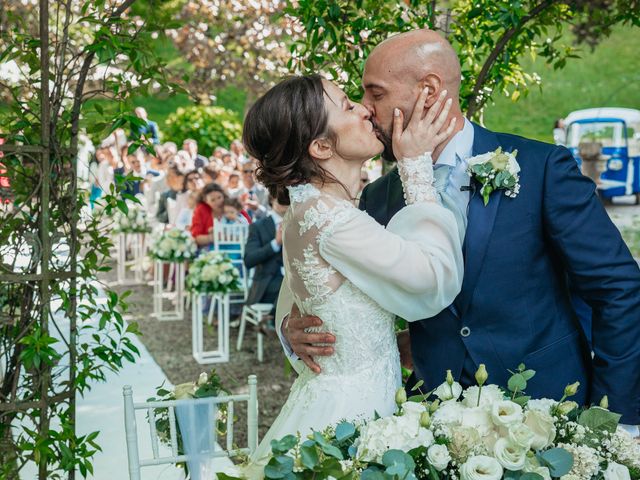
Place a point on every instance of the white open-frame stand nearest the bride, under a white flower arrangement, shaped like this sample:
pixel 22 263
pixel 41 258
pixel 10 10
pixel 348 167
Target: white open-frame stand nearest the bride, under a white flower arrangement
pixel 203 306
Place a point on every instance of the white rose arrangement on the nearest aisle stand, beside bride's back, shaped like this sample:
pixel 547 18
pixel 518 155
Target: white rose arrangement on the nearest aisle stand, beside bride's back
pixel 213 272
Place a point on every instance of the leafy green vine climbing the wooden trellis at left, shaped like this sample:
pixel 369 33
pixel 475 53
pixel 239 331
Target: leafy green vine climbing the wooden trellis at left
pixel 43 358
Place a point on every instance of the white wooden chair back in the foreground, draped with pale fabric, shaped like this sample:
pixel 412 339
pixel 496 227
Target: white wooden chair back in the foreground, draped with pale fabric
pixel 155 409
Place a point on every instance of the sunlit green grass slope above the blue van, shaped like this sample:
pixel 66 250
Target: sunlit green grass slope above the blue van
pixel 607 77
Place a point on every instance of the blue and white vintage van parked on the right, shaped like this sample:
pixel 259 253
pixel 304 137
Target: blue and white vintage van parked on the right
pixel 616 132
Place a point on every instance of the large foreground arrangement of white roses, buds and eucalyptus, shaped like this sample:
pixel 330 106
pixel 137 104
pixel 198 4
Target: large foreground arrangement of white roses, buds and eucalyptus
pixel 481 433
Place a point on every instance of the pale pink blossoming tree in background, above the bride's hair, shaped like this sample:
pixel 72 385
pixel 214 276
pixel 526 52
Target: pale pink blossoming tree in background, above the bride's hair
pixel 234 42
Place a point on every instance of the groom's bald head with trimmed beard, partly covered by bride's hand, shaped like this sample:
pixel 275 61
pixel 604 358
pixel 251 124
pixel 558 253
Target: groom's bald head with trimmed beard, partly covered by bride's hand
pixel 399 68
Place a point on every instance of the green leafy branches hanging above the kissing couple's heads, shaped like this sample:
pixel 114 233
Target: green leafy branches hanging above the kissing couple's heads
pixel 491 37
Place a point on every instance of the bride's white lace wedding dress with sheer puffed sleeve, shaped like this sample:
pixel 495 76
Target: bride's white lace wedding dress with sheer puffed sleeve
pixel 356 275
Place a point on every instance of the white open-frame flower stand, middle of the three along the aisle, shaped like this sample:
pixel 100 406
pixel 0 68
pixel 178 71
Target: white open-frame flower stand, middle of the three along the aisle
pixel 172 292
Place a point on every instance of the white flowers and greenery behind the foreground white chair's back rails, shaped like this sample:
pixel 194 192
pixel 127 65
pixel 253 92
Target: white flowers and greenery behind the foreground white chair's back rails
pixel 207 385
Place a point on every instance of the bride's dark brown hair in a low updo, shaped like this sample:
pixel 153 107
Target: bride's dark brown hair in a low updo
pixel 279 129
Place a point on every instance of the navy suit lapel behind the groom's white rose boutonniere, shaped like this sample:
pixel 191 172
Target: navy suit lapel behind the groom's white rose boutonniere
pixel 480 221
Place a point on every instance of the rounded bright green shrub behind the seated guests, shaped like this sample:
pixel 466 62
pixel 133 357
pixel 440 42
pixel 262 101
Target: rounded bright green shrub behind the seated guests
pixel 209 126
